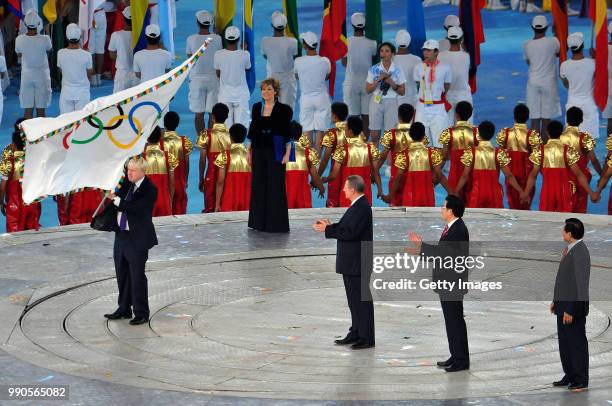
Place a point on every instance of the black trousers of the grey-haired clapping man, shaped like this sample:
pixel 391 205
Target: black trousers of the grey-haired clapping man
pixel 362 312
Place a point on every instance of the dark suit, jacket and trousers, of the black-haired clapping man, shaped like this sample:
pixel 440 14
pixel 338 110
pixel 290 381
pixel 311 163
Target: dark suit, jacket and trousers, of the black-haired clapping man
pixel 454 243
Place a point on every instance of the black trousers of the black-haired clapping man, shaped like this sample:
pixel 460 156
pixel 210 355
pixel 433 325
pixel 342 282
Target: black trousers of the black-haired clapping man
pixel 456 332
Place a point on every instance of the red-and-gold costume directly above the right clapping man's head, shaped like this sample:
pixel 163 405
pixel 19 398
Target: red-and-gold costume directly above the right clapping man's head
pixel 456 140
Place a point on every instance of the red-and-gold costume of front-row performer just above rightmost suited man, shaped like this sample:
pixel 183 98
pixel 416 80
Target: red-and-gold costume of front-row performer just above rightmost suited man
pixel 554 160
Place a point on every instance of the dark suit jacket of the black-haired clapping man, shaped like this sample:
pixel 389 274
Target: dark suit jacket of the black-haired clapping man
pixel 456 243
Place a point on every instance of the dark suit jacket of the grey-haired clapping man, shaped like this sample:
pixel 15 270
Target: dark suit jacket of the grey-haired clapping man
pixel 354 227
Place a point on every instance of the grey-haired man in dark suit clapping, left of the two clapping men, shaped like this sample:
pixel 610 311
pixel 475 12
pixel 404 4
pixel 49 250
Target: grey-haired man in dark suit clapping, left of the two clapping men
pixel 354 261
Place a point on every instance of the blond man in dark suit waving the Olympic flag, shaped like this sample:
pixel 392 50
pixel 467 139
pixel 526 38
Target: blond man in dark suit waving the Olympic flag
pixel 134 236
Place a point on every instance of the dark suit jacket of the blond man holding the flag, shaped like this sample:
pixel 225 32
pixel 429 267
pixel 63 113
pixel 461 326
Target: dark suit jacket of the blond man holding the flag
pixel 139 213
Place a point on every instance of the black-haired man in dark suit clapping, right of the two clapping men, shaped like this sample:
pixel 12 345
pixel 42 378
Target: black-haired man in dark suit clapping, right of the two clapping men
pixel 454 242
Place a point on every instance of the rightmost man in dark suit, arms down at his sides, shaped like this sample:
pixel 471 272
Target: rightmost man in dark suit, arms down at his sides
pixel 571 306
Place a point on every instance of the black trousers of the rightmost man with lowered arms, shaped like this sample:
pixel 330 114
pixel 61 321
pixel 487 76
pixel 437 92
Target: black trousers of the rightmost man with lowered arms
pixel 573 349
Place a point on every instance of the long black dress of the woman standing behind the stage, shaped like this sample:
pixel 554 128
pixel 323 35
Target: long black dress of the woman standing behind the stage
pixel 269 210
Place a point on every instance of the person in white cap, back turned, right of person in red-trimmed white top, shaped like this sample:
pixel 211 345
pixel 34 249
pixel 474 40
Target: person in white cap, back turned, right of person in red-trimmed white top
pixel 459 62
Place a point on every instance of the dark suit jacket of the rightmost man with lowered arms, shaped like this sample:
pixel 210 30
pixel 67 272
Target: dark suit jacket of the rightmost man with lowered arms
pixel 571 293
